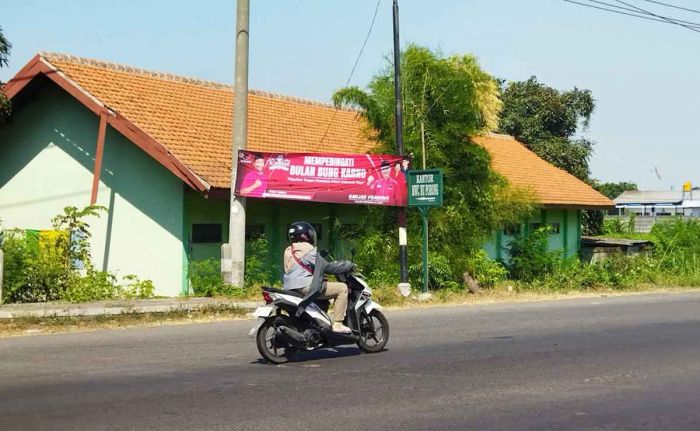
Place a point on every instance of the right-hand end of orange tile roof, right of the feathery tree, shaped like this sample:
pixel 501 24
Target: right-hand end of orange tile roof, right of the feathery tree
pixel 551 185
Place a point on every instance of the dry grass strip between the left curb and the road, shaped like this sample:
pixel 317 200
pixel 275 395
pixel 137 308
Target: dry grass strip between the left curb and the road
pixel 49 325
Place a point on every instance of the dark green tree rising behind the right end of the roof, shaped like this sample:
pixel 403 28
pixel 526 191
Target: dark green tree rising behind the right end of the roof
pixel 546 121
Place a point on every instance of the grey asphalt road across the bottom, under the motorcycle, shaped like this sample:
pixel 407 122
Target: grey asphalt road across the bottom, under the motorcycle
pixel 625 363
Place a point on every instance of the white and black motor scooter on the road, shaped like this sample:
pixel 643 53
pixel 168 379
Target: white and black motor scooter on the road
pixel 284 329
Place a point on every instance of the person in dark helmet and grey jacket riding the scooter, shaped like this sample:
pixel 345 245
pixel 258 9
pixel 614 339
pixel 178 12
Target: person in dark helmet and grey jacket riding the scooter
pixel 300 262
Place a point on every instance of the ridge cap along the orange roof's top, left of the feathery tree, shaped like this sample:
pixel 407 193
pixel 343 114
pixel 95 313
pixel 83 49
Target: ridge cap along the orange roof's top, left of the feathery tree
pixel 54 56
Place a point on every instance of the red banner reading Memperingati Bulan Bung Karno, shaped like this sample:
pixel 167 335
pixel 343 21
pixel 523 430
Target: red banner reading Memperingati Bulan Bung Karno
pixel 370 179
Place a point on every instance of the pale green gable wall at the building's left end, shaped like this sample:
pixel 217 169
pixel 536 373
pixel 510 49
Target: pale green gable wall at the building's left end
pixel 46 163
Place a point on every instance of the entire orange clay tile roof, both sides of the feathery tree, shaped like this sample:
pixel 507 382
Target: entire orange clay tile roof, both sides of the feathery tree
pixel 193 119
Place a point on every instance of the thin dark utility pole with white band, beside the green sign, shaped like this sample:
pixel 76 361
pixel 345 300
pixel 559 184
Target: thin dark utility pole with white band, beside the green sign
pixel 404 286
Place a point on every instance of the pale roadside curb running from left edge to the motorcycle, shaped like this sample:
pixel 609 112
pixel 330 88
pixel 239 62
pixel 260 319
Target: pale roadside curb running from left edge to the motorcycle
pixel 106 308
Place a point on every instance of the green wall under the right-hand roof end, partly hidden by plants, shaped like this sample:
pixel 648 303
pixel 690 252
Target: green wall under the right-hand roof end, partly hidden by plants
pixel 567 240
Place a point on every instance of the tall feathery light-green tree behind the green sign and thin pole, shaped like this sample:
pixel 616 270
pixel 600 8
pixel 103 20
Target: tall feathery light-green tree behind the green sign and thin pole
pixel 446 100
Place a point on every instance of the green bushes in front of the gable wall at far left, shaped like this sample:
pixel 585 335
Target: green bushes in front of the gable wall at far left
pixel 40 267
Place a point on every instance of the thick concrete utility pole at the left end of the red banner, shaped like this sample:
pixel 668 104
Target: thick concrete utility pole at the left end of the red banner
pixel 233 253
